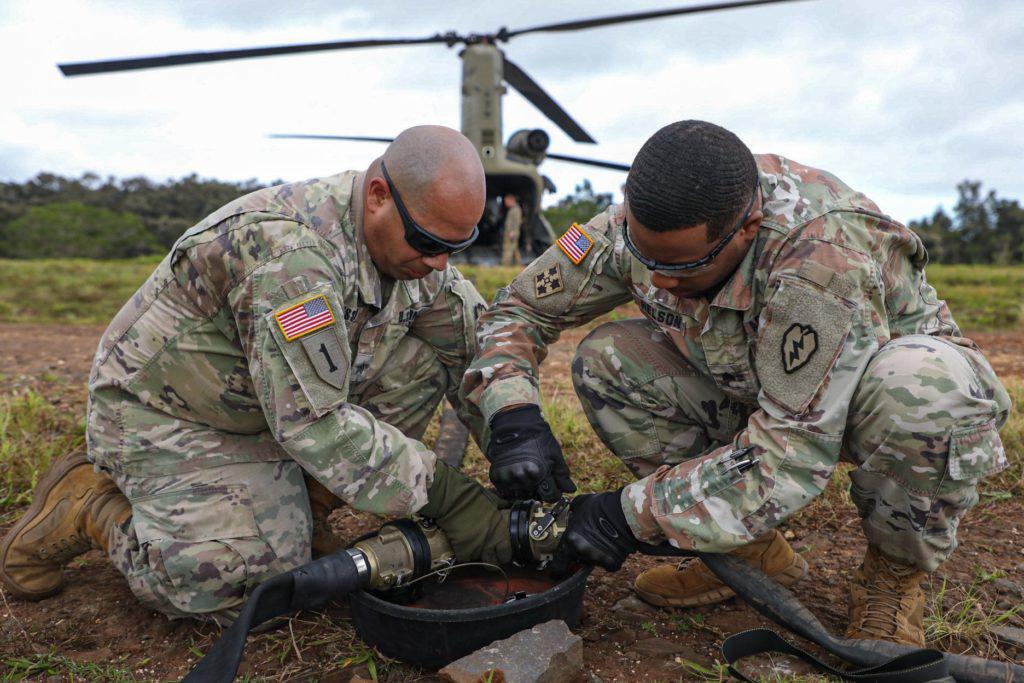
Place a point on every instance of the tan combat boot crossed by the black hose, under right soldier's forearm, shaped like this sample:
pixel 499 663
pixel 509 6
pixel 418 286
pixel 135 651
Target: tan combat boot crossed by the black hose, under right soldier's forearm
pixel 691 583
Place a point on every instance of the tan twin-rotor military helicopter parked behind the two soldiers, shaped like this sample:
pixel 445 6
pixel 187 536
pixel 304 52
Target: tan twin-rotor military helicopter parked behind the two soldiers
pixel 511 167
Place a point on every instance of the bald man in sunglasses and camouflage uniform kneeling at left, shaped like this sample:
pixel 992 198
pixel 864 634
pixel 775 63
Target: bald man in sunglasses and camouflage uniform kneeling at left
pixel 286 357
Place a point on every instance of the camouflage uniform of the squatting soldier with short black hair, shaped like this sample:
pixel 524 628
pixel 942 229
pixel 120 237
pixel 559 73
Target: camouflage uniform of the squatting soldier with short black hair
pixel 828 343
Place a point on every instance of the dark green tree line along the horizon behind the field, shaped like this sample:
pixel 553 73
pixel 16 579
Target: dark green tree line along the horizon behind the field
pixel 52 217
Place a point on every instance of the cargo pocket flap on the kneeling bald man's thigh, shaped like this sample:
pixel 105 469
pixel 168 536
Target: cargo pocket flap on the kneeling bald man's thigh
pixel 196 515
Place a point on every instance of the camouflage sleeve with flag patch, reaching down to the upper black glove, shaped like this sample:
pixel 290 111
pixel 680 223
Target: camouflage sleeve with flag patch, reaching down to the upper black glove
pixel 575 281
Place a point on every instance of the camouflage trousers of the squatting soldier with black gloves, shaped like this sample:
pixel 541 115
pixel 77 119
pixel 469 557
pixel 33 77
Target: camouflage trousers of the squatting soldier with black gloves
pixel 922 429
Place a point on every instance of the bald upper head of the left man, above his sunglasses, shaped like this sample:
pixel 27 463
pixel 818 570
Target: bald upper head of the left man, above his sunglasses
pixel 432 164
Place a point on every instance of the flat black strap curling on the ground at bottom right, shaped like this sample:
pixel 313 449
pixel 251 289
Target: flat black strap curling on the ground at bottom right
pixel 917 667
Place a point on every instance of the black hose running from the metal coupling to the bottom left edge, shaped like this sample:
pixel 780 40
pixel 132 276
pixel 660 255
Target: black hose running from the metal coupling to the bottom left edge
pixel 309 587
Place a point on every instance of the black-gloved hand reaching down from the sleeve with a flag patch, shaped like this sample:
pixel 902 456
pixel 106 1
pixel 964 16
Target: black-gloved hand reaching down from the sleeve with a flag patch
pixel 526 460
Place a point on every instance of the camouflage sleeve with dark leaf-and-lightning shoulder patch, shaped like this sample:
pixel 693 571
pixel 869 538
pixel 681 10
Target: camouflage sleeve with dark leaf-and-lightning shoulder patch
pixel 816 337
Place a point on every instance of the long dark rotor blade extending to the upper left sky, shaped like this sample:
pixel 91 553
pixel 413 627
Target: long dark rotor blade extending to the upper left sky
pixel 133 64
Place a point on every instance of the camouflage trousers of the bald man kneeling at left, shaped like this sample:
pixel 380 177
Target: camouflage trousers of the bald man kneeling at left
pixel 200 541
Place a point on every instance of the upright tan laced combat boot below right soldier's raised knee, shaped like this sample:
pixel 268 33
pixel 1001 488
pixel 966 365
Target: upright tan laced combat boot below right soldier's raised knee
pixel 887 602
